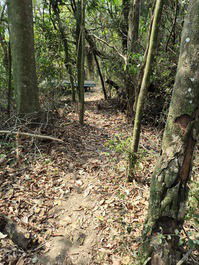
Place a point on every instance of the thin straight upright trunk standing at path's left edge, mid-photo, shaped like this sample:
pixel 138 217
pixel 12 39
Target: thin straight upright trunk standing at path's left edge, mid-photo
pixel 80 56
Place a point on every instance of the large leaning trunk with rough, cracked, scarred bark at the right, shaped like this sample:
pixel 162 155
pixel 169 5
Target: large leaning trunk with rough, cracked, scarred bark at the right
pixel 169 189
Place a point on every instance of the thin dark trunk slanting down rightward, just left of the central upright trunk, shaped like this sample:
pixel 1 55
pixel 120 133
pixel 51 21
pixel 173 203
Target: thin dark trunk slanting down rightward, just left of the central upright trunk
pixel 67 60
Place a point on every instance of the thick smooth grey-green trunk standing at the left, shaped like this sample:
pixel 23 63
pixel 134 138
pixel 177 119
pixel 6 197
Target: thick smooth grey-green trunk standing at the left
pixel 23 58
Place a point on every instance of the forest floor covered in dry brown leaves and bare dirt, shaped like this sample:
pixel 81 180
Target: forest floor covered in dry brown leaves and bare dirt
pixel 73 197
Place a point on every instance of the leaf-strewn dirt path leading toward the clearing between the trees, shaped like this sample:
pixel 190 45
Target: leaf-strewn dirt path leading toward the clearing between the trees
pixel 95 213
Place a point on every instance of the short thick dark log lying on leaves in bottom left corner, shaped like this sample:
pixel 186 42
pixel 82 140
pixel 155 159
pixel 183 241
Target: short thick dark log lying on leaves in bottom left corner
pixel 17 234
